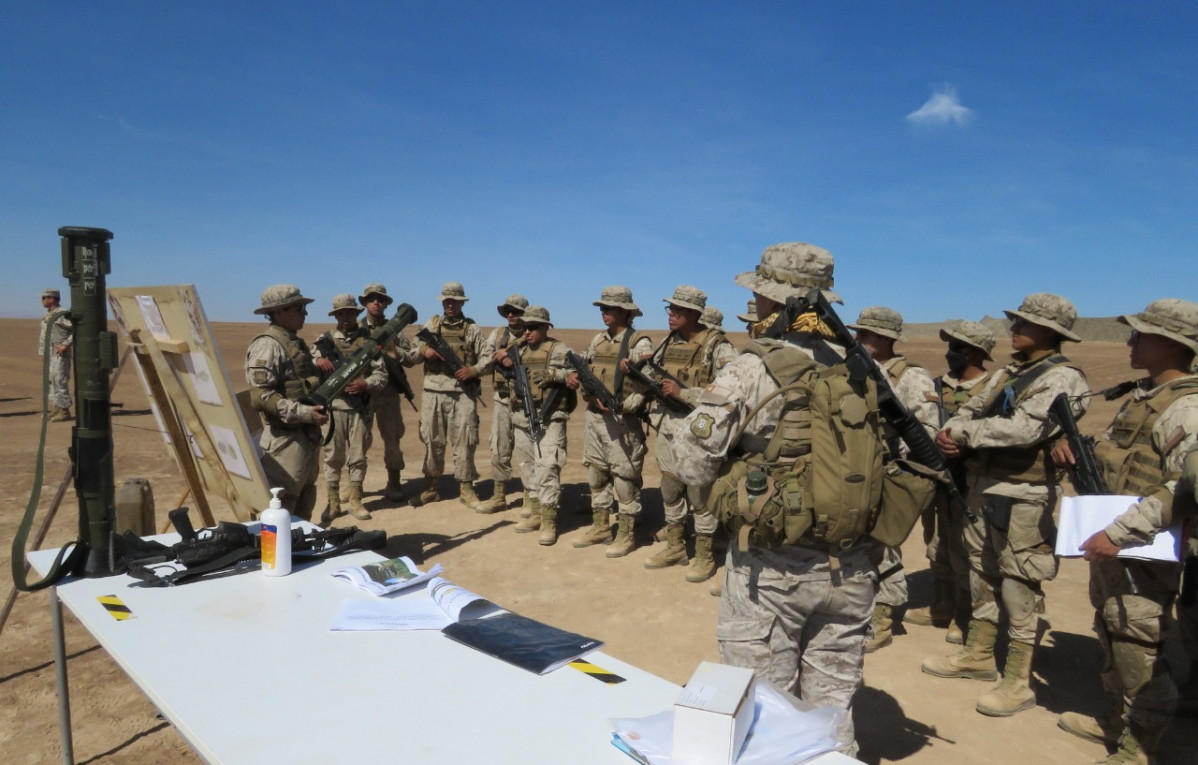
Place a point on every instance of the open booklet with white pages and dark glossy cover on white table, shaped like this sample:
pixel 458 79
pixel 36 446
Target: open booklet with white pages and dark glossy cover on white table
pixel 475 622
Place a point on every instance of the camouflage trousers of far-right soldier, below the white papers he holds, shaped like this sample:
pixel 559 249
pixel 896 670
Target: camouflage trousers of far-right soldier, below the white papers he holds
pixel 1133 630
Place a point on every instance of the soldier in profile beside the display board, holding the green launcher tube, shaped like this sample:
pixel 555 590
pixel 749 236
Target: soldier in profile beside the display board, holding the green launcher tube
pixel 281 372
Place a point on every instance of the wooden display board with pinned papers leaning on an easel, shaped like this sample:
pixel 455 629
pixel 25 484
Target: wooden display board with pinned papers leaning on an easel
pixel 191 396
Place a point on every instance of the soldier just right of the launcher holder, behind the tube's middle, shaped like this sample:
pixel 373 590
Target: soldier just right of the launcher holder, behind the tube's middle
pixel 349 423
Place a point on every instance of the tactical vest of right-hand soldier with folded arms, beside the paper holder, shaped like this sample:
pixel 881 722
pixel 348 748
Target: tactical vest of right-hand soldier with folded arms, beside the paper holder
pixel 1019 465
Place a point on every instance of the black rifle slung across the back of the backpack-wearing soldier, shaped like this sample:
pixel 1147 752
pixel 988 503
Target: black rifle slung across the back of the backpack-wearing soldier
pixel 861 366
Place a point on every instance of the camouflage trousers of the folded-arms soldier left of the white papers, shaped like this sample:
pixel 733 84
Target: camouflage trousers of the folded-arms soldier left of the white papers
pixel 1011 554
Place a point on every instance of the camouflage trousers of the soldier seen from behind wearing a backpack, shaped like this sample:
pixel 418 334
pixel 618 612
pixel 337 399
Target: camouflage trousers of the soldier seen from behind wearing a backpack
pixel 798 623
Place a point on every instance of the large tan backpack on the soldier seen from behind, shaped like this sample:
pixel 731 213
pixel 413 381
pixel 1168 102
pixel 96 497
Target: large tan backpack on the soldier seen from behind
pixel 819 479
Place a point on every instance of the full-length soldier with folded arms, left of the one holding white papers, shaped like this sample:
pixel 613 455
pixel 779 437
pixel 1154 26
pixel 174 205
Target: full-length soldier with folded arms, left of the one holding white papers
pixel 1005 436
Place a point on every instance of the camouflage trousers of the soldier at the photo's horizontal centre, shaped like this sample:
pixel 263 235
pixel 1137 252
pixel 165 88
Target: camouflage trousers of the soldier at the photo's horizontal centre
pixel 614 454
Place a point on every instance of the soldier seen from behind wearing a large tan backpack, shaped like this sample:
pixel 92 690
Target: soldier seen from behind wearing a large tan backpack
pixel 797 615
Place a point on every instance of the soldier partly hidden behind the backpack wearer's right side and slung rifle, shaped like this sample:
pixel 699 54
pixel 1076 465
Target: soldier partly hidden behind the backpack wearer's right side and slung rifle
pixel 879 329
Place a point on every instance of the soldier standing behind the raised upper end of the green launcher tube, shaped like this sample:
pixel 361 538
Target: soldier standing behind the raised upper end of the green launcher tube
pixel 389 415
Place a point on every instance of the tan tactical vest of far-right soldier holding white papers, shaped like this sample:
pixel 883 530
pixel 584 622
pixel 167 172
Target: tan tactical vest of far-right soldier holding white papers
pixel 1132 464
